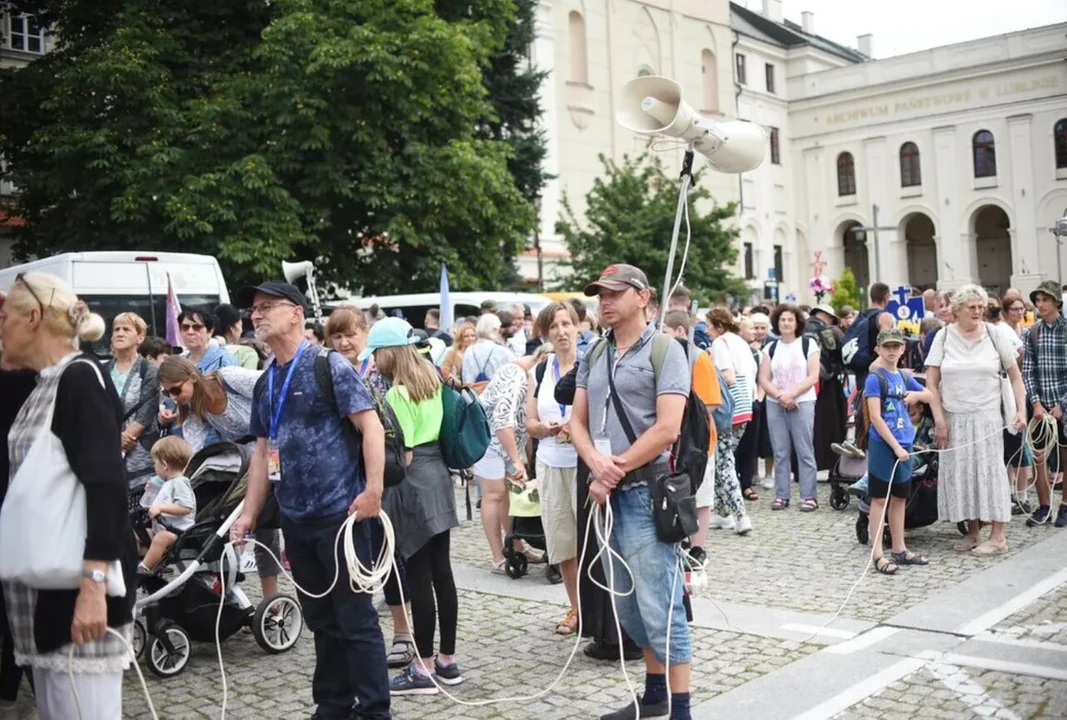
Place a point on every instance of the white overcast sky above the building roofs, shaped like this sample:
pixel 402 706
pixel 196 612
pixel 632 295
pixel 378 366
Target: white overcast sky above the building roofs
pixel 907 26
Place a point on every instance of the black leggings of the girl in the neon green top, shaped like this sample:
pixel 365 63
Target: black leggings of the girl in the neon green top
pixel 431 577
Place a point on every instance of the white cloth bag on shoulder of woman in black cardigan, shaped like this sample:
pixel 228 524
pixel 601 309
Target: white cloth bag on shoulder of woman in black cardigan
pixel 44 522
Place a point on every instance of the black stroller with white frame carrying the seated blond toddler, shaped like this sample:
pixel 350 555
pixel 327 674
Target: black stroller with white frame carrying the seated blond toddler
pixel 180 604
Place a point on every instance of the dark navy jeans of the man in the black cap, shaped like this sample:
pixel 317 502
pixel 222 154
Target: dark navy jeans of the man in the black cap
pixel 349 649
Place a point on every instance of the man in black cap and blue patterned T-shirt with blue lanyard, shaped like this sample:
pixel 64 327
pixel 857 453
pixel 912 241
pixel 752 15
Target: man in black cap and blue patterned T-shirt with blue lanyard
pixel 302 459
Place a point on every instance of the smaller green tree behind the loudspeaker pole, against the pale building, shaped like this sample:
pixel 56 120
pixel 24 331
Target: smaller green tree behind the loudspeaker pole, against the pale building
pixel 630 215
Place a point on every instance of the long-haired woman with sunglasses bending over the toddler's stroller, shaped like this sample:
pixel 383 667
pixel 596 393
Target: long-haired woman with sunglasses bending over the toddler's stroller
pixel 217 408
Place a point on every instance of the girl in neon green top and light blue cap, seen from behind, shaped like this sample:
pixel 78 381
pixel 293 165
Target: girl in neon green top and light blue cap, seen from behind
pixel 423 508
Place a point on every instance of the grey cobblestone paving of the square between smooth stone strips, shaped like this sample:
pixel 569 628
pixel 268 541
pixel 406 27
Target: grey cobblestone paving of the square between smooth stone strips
pixel 801 563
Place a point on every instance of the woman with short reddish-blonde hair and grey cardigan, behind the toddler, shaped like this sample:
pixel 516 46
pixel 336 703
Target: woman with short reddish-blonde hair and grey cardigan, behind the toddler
pixel 136 381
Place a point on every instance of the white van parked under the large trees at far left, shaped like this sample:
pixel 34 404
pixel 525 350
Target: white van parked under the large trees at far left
pixel 119 282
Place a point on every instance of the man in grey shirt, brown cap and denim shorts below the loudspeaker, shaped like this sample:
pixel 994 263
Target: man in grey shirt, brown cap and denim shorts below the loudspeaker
pixel 655 403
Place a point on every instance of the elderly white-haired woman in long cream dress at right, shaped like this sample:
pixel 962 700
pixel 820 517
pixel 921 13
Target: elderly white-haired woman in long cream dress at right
pixel 964 374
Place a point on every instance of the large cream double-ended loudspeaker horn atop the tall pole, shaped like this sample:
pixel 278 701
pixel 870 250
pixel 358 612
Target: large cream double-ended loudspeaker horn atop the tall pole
pixel 654 106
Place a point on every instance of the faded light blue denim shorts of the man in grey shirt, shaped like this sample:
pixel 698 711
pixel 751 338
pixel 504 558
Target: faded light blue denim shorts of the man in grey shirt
pixel 655 565
